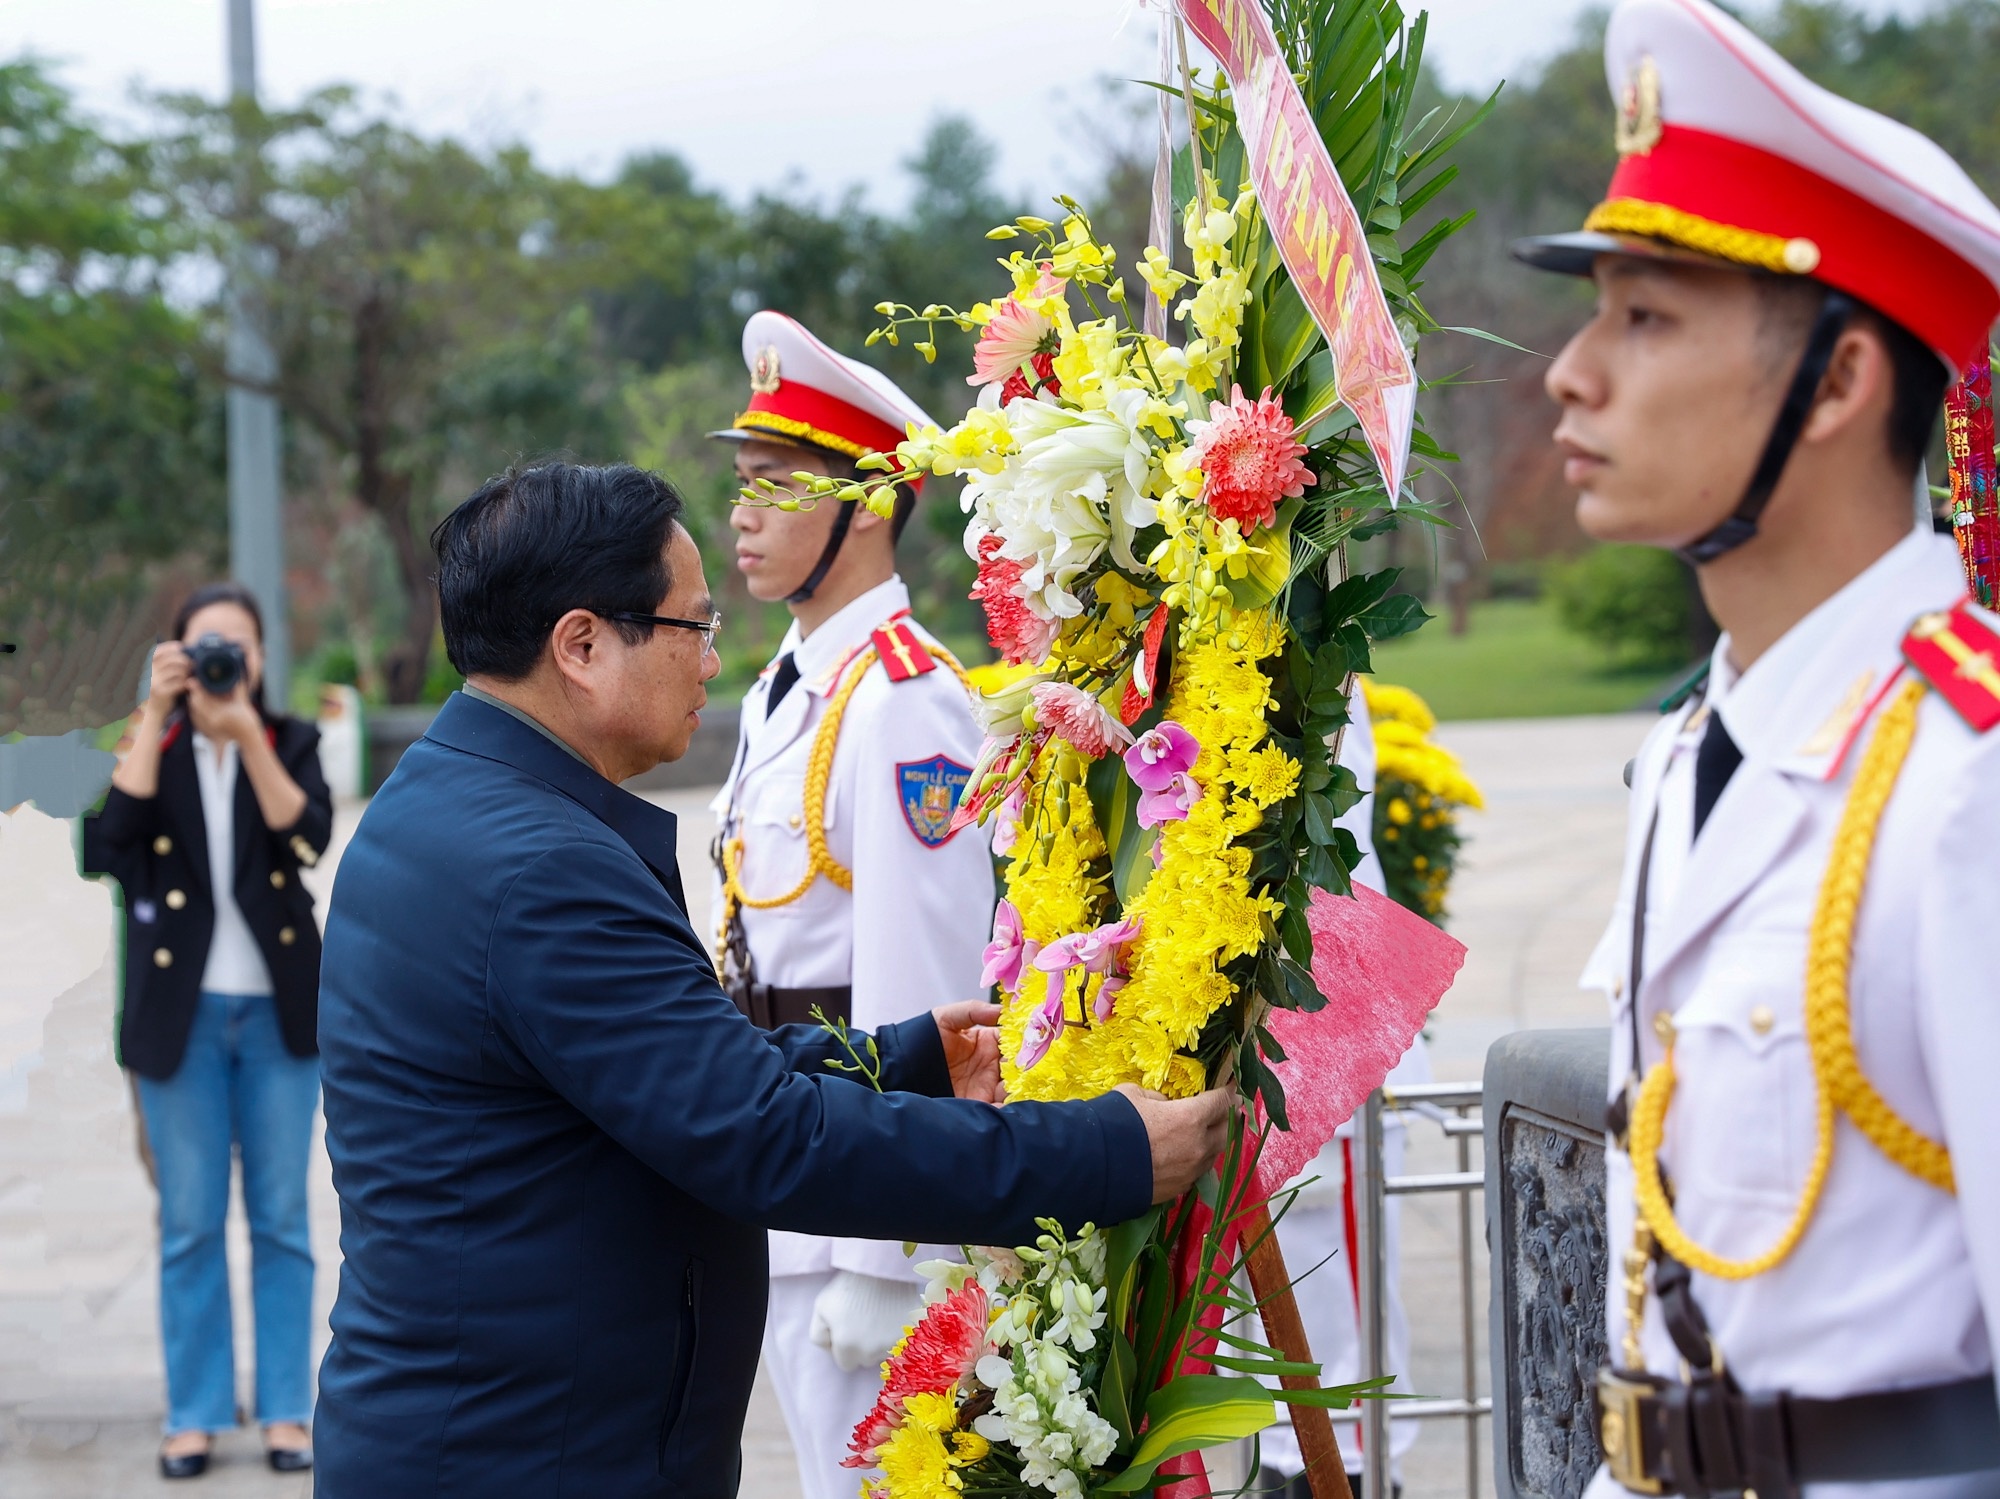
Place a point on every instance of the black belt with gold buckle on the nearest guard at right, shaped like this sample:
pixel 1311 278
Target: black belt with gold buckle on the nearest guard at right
pixel 1709 1438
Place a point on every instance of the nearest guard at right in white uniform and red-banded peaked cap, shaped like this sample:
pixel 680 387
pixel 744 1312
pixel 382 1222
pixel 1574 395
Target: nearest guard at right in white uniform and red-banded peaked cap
pixel 1803 1170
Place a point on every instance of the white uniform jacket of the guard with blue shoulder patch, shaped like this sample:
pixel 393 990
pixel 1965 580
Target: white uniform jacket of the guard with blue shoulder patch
pixel 913 932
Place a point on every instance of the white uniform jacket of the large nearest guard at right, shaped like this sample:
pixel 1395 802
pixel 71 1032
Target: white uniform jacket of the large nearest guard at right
pixel 1895 1284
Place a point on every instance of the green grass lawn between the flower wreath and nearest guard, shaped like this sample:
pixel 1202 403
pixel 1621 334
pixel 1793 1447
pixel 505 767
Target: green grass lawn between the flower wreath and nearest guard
pixel 1515 663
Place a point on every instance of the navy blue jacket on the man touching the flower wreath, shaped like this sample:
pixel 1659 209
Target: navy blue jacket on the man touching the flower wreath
pixel 559 1144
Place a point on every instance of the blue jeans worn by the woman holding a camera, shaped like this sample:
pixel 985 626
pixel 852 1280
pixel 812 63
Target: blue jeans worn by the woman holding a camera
pixel 237 1086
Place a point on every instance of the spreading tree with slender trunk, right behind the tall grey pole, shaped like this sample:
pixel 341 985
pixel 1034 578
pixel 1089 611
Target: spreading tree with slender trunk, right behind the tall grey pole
pixel 423 303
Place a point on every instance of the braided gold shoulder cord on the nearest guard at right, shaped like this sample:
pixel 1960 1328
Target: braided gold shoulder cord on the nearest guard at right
pixel 1837 1070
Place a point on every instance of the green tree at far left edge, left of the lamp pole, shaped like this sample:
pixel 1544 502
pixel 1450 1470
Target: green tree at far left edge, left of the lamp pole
pixel 111 457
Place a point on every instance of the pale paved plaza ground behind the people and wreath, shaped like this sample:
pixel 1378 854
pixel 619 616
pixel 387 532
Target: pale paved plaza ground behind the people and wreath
pixel 79 1348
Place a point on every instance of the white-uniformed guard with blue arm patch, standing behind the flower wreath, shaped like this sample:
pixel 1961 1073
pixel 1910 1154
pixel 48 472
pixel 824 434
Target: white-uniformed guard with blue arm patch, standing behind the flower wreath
pixel 841 884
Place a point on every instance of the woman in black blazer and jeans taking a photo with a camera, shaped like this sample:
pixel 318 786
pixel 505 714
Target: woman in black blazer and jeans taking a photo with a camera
pixel 209 820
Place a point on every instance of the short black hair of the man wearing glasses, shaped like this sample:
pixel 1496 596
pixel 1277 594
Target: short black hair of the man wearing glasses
pixel 537 543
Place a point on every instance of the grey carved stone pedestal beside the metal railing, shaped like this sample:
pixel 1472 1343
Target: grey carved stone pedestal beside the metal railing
pixel 1545 1224
